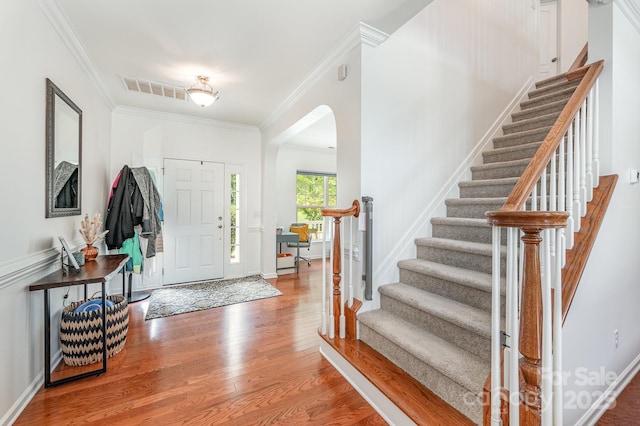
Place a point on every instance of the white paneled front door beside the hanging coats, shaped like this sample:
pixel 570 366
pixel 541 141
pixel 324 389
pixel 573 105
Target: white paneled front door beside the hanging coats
pixel 194 220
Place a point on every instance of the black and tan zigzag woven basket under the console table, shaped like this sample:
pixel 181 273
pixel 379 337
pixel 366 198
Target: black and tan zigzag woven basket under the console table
pixel 81 332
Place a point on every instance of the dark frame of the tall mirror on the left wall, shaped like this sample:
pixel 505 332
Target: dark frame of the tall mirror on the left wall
pixel 52 211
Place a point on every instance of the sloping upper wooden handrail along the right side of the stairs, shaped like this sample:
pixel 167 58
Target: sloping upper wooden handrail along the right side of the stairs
pixel 538 164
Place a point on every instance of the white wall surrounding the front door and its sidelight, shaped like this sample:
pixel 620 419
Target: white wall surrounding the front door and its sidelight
pixel 145 138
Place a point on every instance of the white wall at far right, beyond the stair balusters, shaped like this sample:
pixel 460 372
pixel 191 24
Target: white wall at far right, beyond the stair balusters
pixel 609 296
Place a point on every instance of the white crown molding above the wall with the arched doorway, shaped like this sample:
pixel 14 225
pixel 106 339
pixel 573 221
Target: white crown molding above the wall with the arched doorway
pixel 362 34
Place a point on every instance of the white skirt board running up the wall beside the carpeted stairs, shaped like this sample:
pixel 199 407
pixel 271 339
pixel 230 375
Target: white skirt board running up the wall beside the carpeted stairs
pixel 387 270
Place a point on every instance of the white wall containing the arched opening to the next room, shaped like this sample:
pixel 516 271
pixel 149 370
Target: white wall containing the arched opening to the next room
pixel 343 98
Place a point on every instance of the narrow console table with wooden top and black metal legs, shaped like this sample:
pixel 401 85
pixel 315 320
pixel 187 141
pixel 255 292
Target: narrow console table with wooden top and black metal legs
pixel 101 270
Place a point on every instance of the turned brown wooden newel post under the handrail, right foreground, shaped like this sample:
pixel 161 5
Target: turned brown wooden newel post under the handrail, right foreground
pixel 531 329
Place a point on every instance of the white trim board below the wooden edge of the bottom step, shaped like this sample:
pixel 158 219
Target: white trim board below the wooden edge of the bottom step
pixel 387 409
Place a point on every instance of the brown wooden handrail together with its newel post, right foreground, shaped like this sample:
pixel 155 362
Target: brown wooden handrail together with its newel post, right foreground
pixel 532 223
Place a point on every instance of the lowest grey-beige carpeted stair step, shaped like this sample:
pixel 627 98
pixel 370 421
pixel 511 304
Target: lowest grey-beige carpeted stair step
pixel 459 365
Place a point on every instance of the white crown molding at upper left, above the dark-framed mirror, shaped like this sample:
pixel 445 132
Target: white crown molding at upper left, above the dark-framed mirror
pixel 62 26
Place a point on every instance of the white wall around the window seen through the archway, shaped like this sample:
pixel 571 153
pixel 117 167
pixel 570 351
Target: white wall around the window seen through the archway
pixel 290 160
